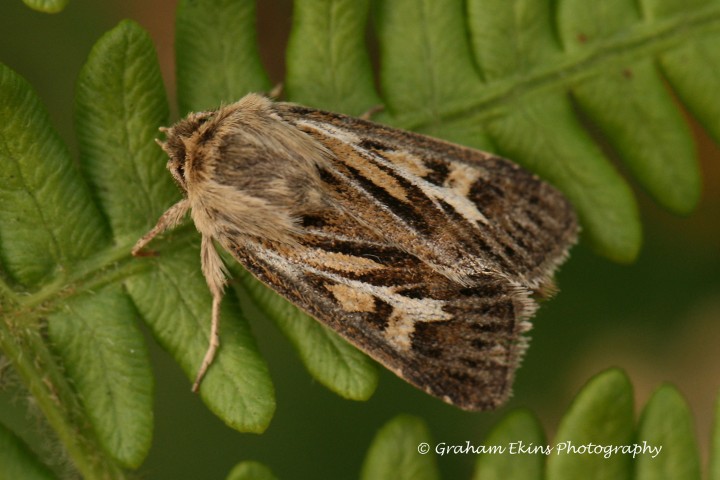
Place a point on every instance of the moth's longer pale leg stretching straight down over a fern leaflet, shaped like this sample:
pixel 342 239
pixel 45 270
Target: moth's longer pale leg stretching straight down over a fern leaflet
pixel 214 271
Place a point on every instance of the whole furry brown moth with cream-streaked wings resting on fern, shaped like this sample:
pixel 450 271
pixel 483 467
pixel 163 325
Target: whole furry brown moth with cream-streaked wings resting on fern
pixel 427 256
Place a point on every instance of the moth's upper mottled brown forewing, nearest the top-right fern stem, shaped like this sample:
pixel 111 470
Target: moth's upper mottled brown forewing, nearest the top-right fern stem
pixel 464 211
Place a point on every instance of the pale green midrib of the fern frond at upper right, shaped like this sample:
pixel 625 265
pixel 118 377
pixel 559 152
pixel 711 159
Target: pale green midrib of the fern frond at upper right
pixel 642 41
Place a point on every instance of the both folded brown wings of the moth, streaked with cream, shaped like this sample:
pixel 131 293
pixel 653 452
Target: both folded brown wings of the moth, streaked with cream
pixel 427 258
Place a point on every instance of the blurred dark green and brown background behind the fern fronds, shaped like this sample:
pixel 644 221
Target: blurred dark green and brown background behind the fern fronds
pixel 659 318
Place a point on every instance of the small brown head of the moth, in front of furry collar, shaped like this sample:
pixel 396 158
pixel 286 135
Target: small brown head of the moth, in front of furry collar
pixel 179 140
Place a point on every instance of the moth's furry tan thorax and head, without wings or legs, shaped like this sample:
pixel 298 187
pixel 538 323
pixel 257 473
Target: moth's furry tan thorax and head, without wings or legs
pixel 245 160
